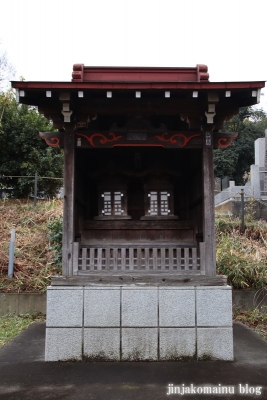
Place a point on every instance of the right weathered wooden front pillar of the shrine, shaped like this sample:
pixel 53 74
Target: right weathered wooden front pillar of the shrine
pixel 208 205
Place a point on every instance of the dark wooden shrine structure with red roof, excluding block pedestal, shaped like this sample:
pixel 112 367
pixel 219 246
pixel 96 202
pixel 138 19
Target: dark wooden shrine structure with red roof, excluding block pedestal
pixel 138 170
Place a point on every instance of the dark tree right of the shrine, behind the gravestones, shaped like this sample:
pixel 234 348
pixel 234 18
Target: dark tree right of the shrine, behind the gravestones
pixel 234 160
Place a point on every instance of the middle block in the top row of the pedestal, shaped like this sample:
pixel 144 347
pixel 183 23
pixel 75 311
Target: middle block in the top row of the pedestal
pixel 140 307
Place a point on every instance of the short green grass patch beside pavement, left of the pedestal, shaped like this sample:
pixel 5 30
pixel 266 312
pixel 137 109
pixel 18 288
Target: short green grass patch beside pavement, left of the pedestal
pixel 11 325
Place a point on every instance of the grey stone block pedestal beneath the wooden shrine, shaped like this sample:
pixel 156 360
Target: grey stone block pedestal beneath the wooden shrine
pixel 132 323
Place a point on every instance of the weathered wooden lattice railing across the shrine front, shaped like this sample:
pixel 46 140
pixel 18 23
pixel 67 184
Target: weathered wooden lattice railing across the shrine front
pixel 129 259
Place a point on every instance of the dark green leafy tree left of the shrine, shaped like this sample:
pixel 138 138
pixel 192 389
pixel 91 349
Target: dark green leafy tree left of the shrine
pixel 23 152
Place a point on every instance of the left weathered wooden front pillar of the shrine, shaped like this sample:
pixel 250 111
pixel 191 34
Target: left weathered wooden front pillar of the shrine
pixel 68 210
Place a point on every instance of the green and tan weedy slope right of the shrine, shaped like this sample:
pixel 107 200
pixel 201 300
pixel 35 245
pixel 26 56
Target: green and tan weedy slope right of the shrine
pixel 242 258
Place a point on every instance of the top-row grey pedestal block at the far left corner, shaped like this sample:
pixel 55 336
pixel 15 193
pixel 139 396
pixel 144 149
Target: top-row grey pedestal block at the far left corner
pixel 64 307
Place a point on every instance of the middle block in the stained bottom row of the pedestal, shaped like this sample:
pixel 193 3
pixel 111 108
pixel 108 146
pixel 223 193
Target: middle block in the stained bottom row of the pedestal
pixel 139 344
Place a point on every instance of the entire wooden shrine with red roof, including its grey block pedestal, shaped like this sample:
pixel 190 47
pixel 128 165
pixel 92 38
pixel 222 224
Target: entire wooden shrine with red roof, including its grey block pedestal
pixel 139 271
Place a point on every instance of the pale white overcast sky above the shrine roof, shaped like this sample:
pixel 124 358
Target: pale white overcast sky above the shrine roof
pixel 43 39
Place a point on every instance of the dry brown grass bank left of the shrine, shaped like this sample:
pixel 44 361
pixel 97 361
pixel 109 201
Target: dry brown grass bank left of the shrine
pixel 33 258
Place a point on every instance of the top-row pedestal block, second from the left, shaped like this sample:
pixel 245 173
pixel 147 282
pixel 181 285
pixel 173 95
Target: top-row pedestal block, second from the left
pixel 102 307
